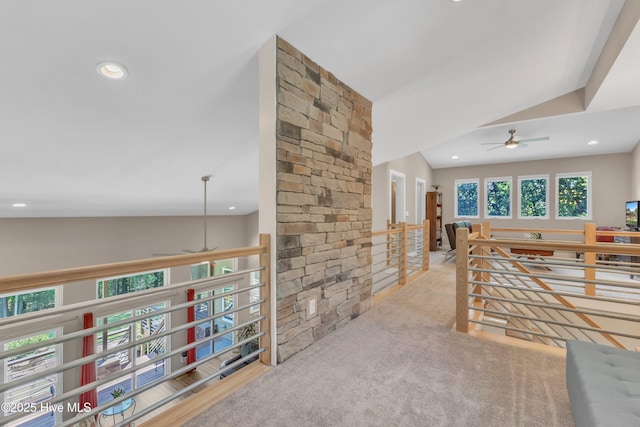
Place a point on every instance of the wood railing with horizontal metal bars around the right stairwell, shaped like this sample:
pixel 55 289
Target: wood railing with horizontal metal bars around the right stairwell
pixel 548 291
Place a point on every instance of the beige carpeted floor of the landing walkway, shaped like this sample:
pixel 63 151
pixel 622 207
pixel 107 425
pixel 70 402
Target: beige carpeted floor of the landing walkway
pixel 400 364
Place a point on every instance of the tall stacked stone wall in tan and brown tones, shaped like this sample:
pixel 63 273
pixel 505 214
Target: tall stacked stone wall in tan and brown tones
pixel 323 247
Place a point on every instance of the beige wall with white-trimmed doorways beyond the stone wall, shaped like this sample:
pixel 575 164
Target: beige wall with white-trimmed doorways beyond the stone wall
pixel 413 166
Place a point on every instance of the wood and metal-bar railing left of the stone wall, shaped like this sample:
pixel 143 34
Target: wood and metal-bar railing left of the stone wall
pixel 171 301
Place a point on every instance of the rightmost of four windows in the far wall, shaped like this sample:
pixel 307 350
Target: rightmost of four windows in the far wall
pixel 573 195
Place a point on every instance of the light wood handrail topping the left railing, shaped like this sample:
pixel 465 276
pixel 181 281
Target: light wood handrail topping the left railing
pixel 30 281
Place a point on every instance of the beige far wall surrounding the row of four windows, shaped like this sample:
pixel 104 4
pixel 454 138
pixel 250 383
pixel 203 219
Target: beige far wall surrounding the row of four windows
pixel 610 177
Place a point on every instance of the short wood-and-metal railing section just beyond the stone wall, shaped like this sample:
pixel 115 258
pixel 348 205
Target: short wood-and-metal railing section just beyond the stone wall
pixel 399 254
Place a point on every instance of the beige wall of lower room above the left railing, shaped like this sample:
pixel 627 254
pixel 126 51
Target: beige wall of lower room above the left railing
pixel 39 244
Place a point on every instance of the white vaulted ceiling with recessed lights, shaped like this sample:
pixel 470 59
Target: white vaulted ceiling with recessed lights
pixel 73 143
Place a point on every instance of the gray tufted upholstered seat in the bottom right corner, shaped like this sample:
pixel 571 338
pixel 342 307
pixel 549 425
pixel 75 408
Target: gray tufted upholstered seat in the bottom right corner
pixel 603 384
